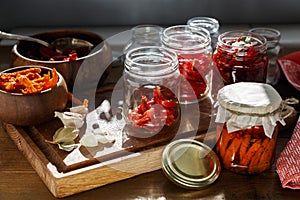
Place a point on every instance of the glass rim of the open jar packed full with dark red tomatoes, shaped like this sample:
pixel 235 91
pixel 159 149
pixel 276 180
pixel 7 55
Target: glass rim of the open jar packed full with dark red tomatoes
pixel 239 33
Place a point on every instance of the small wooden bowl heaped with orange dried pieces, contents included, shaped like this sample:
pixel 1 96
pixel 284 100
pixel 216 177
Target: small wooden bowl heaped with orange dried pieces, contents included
pixel 29 95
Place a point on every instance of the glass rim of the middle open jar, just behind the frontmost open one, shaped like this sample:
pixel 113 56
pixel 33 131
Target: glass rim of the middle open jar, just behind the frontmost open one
pixel 186 38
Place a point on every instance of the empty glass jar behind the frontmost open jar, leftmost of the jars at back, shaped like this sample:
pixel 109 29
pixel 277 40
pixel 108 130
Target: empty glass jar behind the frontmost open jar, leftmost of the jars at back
pixel 144 35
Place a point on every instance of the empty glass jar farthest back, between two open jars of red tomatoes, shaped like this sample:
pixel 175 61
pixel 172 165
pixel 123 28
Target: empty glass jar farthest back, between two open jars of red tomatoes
pixel 209 23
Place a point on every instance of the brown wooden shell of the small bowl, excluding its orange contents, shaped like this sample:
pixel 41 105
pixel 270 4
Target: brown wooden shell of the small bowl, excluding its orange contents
pixel 31 109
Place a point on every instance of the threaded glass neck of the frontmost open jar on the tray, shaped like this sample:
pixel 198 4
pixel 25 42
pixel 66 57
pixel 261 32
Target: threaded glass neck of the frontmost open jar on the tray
pixel 151 61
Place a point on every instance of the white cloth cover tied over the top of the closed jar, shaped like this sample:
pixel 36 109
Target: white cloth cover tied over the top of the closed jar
pixel 246 104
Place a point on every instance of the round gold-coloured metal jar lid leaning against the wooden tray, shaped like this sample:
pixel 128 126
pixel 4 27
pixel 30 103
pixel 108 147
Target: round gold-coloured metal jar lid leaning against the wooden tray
pixel 190 164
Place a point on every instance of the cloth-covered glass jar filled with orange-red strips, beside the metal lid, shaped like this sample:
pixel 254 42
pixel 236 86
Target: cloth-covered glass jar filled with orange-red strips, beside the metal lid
pixel 247 119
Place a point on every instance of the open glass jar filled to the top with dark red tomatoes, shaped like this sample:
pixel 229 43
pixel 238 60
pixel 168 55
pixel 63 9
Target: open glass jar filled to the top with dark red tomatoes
pixel 241 56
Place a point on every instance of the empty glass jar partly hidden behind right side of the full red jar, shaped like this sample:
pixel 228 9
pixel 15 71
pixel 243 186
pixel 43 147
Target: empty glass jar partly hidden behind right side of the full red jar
pixel 273 37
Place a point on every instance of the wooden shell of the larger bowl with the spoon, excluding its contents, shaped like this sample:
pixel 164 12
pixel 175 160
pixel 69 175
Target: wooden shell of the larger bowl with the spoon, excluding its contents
pixel 88 69
